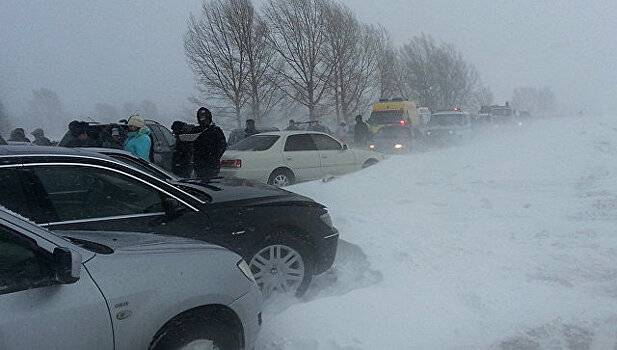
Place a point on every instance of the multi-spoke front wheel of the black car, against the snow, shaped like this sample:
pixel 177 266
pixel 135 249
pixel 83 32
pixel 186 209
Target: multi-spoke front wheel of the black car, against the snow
pixel 282 268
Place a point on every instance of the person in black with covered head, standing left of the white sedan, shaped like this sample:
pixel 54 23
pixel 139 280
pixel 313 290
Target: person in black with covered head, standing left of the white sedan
pixel 209 146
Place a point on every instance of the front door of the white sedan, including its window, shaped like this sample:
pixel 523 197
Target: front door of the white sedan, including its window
pixel 334 158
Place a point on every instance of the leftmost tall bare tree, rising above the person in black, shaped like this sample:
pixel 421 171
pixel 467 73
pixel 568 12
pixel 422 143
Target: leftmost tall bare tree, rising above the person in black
pixel 214 48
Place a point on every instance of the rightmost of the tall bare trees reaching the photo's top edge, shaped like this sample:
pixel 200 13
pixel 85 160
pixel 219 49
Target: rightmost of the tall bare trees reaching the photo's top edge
pixel 354 51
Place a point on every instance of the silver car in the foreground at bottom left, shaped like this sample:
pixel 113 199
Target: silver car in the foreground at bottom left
pixel 97 290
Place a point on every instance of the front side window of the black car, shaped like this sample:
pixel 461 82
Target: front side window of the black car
pixel 78 192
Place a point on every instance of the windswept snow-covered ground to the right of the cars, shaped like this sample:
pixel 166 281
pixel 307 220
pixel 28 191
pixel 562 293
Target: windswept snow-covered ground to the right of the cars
pixel 506 242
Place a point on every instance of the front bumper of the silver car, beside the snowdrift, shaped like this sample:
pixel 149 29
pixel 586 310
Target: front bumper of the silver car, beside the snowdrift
pixel 249 308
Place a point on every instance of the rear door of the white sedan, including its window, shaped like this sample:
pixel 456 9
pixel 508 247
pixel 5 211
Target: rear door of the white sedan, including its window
pixel 300 154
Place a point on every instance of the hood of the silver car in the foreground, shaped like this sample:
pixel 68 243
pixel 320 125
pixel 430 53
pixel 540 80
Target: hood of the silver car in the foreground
pixel 98 241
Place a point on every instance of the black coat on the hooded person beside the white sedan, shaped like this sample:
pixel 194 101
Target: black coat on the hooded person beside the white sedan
pixel 209 147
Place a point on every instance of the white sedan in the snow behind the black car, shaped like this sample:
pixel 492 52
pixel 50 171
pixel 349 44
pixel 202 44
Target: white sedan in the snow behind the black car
pixel 285 157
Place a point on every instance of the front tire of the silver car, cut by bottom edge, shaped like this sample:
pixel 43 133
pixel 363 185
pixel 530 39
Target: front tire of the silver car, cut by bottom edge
pixel 196 331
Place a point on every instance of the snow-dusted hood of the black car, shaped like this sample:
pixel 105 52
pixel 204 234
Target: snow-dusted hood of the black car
pixel 228 190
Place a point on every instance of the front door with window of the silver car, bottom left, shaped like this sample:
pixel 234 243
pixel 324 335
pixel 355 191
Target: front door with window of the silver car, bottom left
pixel 36 313
